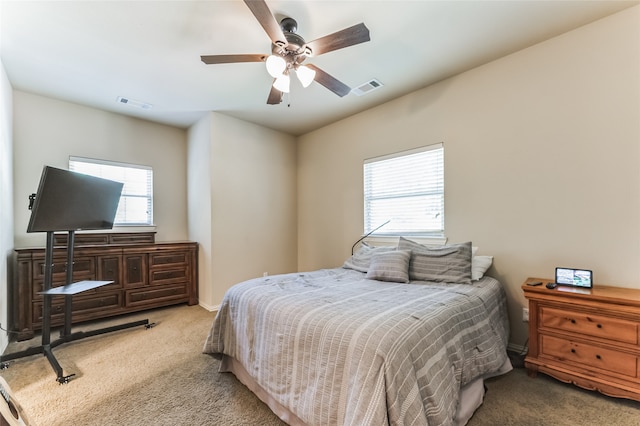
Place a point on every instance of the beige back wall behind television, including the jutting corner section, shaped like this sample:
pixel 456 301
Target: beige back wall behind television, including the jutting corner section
pixel 237 198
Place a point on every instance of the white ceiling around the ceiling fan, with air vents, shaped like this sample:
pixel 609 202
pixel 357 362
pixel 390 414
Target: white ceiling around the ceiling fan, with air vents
pixel 91 52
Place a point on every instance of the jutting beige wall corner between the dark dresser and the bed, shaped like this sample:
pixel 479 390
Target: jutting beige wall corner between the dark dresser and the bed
pixel 246 183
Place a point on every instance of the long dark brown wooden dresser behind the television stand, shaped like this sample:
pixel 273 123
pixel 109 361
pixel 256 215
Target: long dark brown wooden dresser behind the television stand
pixel 145 275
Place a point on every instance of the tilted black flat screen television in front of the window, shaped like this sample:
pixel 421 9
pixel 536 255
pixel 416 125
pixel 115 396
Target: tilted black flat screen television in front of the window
pixel 70 201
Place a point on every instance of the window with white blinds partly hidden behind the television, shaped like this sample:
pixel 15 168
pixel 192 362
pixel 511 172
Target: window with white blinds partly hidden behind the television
pixel 136 201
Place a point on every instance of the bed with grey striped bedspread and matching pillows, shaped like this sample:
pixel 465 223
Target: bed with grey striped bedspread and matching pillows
pixel 368 343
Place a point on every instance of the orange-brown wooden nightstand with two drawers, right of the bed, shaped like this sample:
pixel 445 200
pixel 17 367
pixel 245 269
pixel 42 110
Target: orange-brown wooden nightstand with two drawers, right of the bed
pixel 588 337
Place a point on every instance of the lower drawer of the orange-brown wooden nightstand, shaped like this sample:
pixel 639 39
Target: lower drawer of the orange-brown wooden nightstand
pixel 589 356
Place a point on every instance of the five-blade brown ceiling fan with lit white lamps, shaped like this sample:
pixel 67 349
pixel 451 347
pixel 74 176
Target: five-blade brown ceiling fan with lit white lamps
pixel 289 51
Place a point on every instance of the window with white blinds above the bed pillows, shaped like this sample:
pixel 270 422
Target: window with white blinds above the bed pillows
pixel 408 189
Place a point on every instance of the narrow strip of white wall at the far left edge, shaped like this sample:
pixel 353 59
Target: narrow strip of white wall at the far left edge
pixel 6 200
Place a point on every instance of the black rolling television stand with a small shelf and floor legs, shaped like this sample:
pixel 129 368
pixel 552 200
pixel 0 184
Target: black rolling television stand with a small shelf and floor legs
pixel 67 291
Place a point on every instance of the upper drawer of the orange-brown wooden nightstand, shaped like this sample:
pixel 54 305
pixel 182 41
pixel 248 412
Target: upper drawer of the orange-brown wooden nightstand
pixel 591 325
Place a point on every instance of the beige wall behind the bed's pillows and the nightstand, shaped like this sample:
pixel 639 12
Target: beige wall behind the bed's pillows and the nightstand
pixel 542 161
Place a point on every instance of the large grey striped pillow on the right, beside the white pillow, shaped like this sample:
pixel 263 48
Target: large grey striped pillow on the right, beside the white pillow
pixel 448 263
